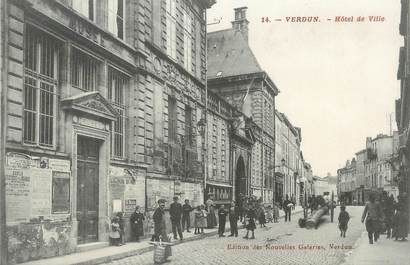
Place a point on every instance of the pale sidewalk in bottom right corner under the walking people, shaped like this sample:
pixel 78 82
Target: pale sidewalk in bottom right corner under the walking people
pixel 384 252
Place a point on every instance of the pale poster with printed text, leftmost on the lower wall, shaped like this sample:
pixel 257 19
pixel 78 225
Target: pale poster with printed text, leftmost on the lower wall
pixel 17 194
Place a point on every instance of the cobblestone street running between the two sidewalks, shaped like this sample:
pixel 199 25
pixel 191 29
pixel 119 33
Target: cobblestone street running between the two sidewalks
pixel 285 241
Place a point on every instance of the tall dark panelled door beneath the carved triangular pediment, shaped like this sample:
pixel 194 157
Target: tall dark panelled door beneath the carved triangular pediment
pixel 87 189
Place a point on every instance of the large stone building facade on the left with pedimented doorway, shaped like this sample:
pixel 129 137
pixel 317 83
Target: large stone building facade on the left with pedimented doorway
pixel 105 107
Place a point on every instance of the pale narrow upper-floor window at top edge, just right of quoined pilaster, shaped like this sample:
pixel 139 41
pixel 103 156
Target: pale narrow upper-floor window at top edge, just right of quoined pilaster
pixel 171 28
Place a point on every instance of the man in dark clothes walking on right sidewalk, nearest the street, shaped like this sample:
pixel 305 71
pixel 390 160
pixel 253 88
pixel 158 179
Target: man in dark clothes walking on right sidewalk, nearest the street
pixel 371 214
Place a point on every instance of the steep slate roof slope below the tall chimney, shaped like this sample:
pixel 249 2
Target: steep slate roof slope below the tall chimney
pixel 230 54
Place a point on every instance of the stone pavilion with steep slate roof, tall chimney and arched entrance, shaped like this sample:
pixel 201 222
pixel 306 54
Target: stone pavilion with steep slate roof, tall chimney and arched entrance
pixel 235 74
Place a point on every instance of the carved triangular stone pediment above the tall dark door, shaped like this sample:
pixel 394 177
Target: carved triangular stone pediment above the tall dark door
pixel 90 103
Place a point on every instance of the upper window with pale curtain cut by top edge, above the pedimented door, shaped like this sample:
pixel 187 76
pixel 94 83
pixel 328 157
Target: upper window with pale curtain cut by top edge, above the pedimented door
pixel 116 17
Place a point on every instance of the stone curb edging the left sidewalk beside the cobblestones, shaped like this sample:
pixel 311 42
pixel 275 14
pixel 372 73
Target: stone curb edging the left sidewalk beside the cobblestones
pixel 143 250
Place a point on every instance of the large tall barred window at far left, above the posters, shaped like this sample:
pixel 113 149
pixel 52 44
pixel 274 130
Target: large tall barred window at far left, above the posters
pixel 40 88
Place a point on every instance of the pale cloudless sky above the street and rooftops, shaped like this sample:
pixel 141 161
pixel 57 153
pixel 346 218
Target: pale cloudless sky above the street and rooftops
pixel 337 81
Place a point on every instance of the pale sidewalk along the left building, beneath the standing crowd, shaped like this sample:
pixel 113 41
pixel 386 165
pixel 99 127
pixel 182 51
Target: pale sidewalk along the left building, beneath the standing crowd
pixel 107 254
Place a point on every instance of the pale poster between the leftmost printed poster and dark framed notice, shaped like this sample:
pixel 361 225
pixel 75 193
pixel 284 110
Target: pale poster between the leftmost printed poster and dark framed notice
pixel 40 192
